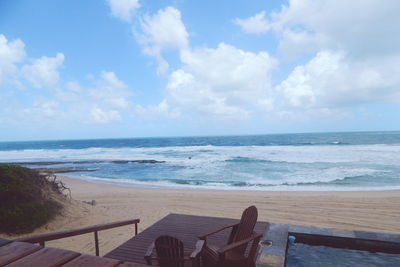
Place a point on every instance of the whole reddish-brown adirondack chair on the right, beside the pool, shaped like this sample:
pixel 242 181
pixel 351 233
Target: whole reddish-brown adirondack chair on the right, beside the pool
pixel 234 252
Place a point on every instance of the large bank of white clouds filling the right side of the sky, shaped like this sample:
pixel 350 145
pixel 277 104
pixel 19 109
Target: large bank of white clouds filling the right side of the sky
pixel 356 53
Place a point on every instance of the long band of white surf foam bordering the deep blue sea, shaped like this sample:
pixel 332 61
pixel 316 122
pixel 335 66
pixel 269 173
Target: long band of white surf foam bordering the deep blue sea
pixel 296 154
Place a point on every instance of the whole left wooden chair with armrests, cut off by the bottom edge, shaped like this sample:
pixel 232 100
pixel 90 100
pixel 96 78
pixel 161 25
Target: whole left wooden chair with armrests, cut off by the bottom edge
pixel 170 253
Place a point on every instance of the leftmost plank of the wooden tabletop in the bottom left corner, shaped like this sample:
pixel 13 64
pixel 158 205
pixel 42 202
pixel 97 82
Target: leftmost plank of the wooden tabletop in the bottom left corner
pixel 16 250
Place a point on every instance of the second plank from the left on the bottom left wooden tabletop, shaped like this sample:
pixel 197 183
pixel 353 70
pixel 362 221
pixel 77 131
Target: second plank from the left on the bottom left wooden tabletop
pixel 46 257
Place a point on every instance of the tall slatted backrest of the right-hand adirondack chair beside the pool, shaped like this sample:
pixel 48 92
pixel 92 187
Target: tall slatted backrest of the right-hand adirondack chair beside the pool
pixel 246 227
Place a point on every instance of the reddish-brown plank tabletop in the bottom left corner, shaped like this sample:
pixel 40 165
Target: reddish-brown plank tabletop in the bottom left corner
pixel 23 254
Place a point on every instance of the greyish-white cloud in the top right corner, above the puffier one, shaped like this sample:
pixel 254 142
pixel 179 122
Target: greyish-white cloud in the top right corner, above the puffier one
pixel 360 27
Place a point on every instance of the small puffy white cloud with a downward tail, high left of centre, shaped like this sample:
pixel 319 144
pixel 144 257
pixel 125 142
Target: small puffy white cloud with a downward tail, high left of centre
pixel 163 30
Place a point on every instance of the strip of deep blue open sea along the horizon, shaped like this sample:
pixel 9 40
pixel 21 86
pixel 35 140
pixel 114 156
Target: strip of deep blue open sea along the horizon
pixel 310 139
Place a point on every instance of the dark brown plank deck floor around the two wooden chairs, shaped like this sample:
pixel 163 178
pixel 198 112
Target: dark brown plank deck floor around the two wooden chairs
pixel 183 227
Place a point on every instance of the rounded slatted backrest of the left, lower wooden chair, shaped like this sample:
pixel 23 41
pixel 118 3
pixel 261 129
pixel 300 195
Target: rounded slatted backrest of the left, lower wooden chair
pixel 169 251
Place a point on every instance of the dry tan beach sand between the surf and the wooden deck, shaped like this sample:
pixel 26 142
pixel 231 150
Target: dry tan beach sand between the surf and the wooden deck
pixel 369 210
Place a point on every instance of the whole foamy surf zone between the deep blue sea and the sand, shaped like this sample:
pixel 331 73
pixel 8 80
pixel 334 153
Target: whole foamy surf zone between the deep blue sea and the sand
pixel 234 167
